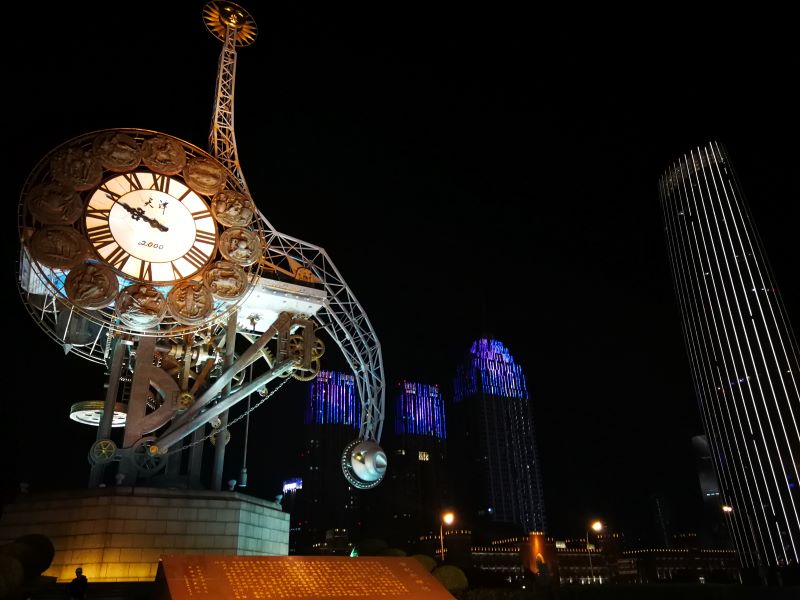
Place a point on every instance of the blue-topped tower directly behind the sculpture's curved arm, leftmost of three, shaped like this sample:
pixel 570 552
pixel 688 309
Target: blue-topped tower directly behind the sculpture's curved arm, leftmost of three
pixel 326 502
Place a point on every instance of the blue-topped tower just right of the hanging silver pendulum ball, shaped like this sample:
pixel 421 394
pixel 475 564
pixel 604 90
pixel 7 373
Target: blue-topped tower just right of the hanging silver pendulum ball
pixel 415 490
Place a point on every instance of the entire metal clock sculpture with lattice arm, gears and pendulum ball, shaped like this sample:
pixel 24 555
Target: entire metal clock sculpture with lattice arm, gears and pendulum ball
pixel 142 252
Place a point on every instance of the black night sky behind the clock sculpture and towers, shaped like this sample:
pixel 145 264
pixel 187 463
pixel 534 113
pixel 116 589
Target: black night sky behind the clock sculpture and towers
pixel 470 173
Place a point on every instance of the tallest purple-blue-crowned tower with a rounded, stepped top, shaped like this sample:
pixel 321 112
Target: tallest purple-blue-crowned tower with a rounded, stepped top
pixel 493 434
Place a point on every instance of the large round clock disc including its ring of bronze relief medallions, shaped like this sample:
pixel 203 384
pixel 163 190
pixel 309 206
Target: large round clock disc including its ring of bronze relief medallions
pixel 138 232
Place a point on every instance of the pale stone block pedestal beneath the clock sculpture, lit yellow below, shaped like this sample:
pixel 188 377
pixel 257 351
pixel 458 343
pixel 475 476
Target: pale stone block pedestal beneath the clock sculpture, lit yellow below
pixel 118 534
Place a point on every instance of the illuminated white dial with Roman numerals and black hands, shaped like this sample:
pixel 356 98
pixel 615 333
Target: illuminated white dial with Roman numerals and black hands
pixel 150 227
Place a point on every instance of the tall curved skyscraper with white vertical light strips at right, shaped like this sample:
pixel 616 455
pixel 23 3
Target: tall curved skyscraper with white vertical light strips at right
pixel 743 354
